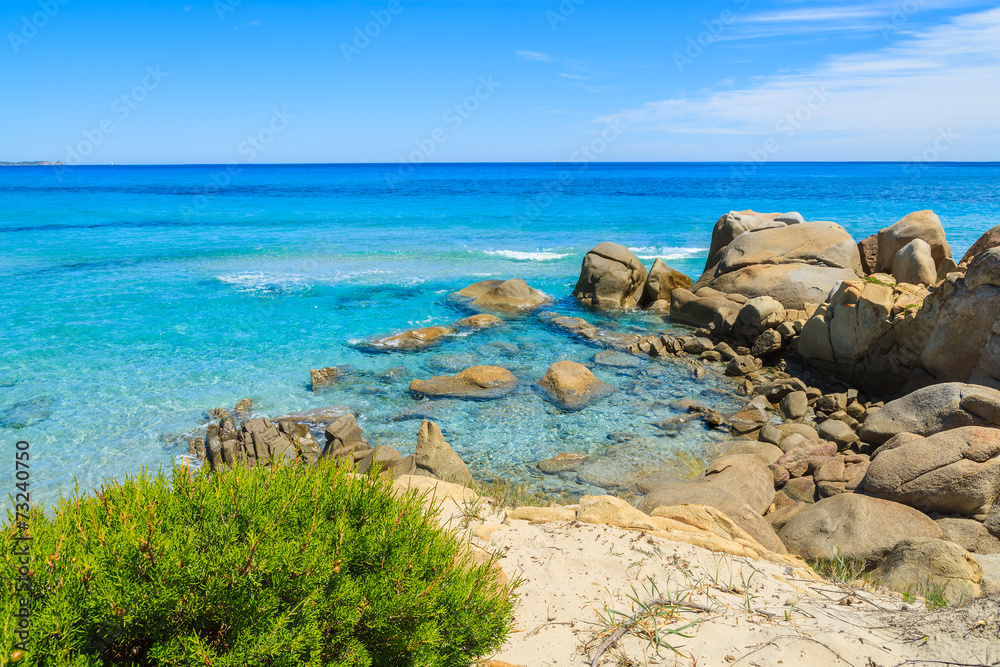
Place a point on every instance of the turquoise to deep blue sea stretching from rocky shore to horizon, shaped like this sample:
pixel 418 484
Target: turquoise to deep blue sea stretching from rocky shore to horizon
pixel 137 298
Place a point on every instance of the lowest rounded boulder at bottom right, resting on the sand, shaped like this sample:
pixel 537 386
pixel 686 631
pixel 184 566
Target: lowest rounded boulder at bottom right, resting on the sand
pixel 922 565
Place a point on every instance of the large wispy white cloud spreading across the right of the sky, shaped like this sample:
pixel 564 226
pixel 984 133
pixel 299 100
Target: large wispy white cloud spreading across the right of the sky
pixel 883 100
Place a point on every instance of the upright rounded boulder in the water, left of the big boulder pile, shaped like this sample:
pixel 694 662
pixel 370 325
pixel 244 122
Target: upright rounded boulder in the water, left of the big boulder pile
pixel 611 277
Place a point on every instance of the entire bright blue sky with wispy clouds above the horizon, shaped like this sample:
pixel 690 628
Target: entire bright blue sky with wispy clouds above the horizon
pixel 252 81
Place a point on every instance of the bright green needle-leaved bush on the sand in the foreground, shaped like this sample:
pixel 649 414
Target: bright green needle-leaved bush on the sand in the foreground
pixel 250 567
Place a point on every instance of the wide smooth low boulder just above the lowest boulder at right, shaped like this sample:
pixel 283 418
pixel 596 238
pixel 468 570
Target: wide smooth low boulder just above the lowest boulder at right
pixel 850 525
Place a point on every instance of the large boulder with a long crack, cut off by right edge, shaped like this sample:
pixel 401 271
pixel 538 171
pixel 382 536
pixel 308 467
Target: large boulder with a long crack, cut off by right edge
pixel 953 472
